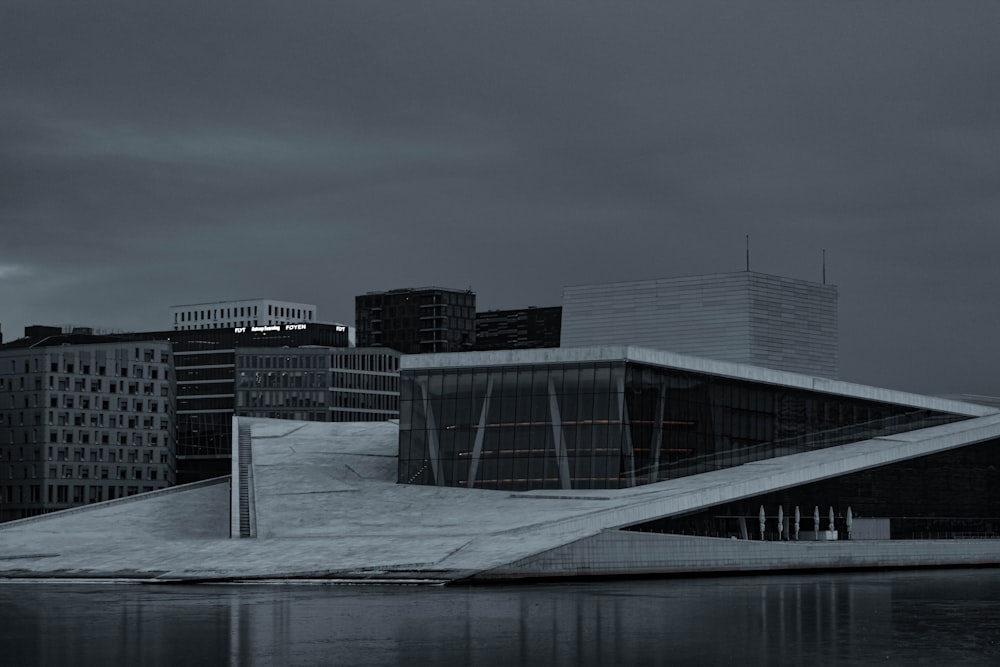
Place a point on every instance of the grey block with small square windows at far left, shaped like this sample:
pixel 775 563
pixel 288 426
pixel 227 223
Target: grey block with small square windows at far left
pixel 83 421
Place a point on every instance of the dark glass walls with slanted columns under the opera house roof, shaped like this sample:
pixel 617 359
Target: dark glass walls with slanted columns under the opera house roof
pixel 615 424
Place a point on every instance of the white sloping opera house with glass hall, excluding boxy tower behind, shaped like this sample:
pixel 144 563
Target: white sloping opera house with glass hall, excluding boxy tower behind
pixel 565 462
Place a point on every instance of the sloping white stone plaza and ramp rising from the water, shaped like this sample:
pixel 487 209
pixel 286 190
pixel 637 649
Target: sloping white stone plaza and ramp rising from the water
pixel 327 506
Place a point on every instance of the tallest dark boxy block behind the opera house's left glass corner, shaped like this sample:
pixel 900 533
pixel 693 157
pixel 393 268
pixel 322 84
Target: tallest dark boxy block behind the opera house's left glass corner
pixel 417 320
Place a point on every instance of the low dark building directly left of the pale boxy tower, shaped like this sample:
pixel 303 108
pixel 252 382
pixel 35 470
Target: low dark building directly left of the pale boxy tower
pixel 519 329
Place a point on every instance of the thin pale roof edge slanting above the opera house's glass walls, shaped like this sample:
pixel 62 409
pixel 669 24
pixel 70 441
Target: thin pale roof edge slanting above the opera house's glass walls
pixel 555 355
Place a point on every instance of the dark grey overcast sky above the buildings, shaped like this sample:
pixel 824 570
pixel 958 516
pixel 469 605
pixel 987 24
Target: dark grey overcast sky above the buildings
pixel 161 153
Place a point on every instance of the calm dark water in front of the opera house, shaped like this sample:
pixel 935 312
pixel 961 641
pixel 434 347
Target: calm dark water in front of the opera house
pixel 931 618
